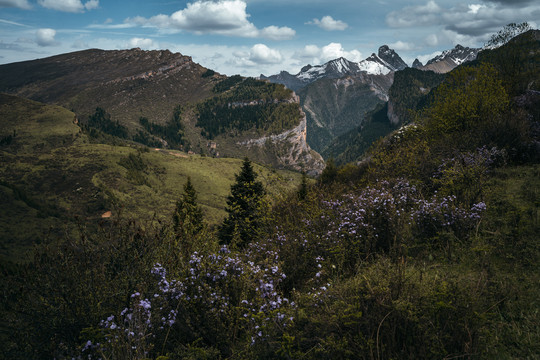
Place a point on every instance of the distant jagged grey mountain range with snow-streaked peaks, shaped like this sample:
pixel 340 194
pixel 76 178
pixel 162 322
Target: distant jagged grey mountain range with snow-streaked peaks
pixel 338 95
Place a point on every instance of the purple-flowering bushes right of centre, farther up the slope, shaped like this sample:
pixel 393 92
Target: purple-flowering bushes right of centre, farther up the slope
pixel 372 217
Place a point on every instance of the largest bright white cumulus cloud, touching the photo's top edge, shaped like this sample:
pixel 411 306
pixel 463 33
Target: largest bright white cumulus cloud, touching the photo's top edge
pixel 224 17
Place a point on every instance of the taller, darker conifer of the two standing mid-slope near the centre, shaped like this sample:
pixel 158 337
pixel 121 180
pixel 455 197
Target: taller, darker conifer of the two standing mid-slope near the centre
pixel 246 209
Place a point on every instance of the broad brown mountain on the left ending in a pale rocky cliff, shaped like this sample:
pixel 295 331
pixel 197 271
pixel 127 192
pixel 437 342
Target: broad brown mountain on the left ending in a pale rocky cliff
pixel 151 93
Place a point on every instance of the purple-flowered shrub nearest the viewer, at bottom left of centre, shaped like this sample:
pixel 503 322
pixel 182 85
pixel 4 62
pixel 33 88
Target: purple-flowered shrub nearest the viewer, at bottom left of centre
pixel 219 285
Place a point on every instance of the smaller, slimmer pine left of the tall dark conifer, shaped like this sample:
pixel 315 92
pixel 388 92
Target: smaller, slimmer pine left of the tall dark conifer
pixel 188 217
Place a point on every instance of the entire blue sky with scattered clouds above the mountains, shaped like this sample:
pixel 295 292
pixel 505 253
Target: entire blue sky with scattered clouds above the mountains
pixel 253 37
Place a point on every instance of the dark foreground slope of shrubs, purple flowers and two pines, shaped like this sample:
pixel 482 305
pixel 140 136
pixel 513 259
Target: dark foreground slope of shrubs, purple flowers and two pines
pixel 427 249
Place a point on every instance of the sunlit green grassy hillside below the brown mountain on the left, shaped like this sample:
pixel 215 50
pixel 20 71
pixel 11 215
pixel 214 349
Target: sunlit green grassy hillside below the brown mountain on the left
pixel 52 173
